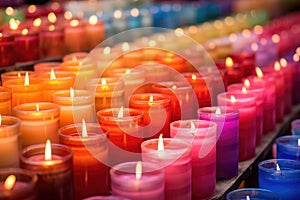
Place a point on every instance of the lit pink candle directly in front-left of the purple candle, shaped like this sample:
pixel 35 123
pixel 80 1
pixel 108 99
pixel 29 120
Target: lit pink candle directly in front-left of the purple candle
pixel 202 137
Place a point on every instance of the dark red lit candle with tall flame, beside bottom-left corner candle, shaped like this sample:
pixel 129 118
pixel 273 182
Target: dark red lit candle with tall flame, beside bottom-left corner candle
pixel 53 165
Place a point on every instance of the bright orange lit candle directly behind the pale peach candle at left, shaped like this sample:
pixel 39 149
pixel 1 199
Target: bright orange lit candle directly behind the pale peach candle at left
pixel 25 90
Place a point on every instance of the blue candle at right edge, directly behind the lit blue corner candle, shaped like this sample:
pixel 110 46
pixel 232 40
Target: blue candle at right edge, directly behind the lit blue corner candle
pixel 288 147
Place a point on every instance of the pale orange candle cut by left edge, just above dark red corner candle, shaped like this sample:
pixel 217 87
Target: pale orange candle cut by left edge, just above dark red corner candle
pixel 9 141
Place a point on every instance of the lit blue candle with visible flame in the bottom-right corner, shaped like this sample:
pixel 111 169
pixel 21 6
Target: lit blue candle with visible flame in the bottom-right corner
pixel 281 176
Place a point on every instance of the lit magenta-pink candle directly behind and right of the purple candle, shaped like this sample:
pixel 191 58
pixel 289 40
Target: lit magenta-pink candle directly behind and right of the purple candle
pixel 246 104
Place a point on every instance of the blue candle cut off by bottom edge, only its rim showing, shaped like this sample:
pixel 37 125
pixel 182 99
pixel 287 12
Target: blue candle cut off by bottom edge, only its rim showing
pixel 252 193
